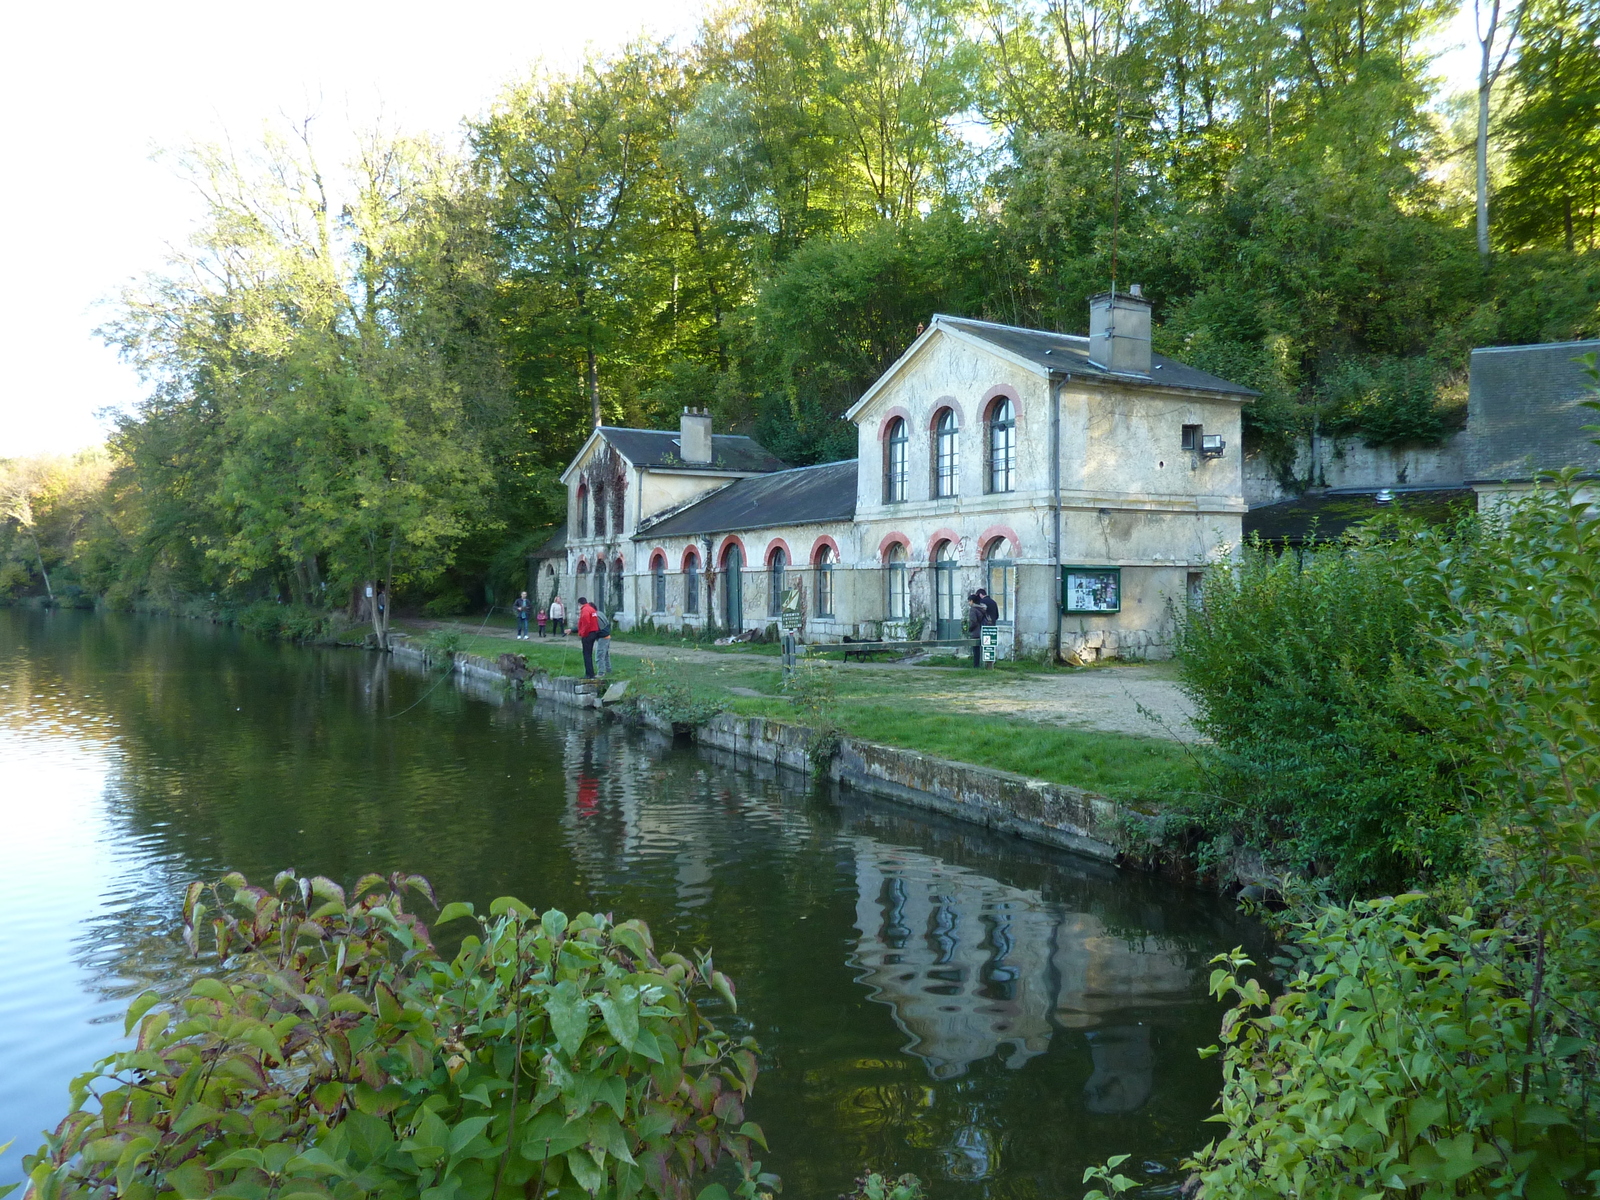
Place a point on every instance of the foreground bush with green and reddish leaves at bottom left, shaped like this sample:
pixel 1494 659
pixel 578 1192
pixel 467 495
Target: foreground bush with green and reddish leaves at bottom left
pixel 332 1054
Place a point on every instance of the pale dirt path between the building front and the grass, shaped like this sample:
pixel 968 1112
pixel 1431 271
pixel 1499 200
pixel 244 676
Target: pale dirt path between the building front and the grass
pixel 1138 698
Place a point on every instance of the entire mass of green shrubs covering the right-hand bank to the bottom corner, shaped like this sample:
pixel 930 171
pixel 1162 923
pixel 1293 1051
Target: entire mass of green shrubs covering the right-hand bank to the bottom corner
pixel 1446 692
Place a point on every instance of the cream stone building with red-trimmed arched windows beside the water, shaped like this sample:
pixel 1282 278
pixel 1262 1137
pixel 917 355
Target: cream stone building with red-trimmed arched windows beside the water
pixel 1086 482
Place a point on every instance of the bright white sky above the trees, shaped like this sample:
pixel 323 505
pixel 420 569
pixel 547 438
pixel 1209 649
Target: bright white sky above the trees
pixel 90 90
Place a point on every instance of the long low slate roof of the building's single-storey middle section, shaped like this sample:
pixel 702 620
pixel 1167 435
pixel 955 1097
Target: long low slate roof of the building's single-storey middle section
pixel 796 497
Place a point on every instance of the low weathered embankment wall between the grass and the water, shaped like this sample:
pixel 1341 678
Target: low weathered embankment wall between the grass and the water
pixel 1042 812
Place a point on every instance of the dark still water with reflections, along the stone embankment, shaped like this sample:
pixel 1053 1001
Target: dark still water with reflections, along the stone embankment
pixel 930 999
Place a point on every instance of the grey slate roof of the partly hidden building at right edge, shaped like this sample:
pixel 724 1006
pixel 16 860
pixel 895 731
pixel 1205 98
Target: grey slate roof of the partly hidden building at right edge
pixel 1526 412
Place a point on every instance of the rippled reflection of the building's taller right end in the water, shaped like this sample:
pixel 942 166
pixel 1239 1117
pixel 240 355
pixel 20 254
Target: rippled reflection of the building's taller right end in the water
pixel 974 967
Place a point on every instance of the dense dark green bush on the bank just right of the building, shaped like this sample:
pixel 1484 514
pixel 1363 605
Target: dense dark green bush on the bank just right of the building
pixel 1316 679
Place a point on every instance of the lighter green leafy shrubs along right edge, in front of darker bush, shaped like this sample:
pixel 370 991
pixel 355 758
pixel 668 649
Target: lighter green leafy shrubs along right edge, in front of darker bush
pixel 1450 1046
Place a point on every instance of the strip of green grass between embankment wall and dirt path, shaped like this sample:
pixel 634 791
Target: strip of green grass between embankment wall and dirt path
pixel 898 708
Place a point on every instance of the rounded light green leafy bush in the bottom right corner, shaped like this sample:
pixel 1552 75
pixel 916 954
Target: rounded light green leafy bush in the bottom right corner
pixel 1401 1060
